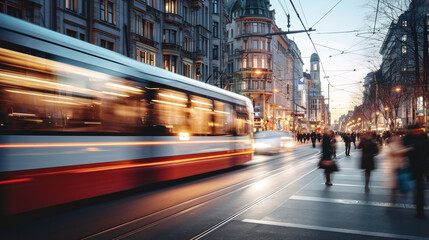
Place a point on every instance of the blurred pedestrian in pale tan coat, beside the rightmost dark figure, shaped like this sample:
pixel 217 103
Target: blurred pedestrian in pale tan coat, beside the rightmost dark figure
pixel 397 161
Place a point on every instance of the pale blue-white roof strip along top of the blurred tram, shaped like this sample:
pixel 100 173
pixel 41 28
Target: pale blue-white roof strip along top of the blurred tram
pixel 60 45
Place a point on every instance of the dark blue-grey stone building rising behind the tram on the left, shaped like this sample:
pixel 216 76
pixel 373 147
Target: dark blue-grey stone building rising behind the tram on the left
pixel 182 36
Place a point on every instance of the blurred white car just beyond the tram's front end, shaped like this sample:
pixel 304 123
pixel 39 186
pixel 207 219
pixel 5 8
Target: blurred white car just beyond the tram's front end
pixel 270 142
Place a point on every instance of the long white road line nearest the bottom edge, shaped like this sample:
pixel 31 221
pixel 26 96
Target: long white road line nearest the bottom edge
pixel 336 230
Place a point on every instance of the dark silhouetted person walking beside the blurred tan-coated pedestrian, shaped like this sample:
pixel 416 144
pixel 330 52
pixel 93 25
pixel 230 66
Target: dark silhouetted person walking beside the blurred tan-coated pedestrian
pixel 369 150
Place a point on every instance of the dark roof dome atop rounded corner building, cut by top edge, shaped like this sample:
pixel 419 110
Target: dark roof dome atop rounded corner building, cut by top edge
pixel 241 8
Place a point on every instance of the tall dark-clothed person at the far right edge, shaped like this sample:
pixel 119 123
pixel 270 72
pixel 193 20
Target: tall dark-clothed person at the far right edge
pixel 418 157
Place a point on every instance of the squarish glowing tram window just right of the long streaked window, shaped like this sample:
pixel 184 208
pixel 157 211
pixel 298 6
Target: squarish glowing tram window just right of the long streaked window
pixel 169 109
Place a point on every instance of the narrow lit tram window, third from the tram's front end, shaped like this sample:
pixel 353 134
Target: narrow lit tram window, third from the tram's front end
pixel 201 116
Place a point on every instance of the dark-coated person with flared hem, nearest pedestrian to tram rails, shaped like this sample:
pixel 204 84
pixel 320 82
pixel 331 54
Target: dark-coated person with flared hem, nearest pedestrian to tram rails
pixel 326 161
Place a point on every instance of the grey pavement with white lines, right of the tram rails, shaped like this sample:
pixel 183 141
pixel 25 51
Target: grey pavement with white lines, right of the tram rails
pixel 341 211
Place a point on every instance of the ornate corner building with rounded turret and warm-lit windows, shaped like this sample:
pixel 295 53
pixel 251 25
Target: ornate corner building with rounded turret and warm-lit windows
pixel 259 63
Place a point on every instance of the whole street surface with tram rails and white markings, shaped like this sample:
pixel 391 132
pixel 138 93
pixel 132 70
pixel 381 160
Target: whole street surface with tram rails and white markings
pixel 271 197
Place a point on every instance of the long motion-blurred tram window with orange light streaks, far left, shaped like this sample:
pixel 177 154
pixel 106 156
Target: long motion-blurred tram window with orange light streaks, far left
pixel 49 96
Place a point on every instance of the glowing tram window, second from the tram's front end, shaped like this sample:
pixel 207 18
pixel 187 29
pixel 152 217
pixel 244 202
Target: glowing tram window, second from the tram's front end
pixel 223 118
